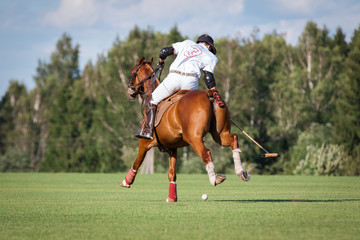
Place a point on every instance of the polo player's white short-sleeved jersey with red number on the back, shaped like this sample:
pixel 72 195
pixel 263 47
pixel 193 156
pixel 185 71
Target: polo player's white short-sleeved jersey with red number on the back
pixel 192 58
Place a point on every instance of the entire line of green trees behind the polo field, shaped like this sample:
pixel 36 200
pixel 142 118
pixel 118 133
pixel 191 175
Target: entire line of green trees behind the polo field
pixel 302 101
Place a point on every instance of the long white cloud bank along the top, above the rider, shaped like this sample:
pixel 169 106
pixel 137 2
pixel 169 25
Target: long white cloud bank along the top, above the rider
pixel 118 13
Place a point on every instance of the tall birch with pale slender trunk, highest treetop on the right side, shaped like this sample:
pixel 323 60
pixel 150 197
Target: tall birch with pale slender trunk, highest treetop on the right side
pixel 314 55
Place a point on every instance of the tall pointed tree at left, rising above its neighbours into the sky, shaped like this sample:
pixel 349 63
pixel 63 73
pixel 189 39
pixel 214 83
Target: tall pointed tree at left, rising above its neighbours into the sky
pixel 54 87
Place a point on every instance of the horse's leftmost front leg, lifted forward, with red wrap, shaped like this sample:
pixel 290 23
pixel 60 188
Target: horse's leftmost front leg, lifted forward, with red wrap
pixel 130 176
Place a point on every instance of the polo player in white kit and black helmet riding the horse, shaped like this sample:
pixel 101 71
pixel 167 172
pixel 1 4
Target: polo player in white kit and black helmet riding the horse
pixel 191 59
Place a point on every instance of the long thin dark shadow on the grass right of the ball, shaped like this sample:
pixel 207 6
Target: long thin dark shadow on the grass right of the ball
pixel 291 200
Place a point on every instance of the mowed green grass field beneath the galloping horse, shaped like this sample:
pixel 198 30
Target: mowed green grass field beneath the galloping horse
pixel 93 206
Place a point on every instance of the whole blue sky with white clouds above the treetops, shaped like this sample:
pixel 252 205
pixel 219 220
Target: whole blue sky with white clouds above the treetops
pixel 29 30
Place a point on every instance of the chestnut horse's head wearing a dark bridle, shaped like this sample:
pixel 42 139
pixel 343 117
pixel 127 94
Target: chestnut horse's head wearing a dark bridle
pixel 140 74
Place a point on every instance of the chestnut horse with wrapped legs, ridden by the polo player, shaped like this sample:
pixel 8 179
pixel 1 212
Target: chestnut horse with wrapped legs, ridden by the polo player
pixel 184 123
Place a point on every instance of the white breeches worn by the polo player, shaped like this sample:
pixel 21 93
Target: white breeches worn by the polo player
pixel 172 83
